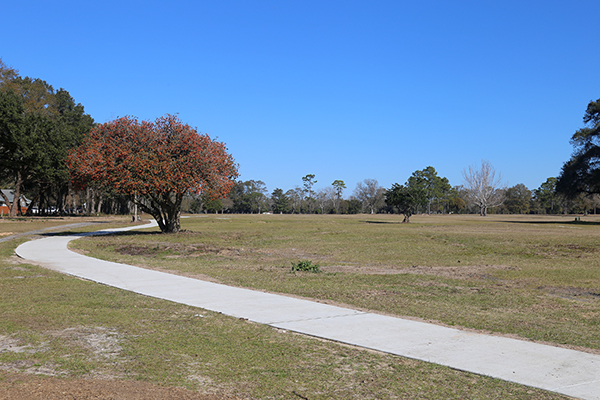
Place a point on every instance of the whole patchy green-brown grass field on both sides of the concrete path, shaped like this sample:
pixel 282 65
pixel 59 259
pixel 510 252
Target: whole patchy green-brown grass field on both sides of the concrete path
pixel 535 278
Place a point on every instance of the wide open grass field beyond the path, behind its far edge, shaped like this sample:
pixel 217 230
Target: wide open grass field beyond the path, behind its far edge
pixel 536 277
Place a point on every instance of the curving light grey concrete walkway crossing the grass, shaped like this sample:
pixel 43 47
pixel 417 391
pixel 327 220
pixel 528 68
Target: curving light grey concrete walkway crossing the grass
pixel 556 369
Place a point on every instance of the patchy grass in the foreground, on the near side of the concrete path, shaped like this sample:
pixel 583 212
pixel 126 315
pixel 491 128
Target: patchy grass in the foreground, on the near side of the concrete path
pixel 56 324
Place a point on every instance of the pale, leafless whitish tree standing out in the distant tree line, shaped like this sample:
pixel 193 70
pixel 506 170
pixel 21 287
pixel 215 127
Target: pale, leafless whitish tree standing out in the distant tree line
pixel 484 186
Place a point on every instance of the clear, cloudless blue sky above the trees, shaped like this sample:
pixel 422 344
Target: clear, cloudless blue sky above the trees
pixel 340 89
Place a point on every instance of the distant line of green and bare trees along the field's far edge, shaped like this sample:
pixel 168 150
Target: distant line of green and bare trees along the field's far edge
pixel 424 192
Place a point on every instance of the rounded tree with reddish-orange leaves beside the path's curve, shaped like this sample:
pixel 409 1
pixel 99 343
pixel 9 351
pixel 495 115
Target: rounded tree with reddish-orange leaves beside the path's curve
pixel 155 164
